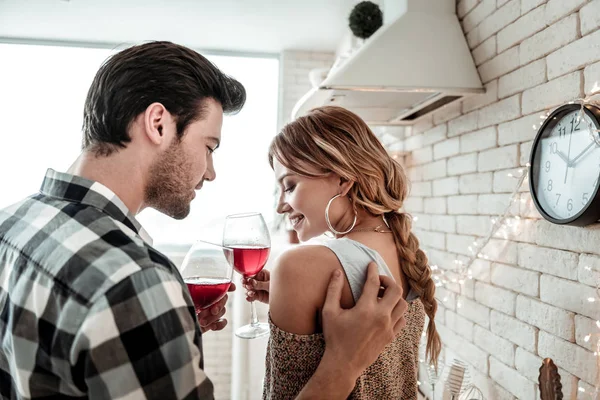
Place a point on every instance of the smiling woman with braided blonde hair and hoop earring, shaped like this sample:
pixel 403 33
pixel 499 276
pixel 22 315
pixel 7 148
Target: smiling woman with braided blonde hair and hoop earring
pixel 336 176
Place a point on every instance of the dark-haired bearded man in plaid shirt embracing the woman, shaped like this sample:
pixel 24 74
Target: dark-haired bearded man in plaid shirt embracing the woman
pixel 88 308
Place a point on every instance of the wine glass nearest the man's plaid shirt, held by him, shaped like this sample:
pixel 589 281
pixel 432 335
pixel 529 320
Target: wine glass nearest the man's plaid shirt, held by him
pixel 207 271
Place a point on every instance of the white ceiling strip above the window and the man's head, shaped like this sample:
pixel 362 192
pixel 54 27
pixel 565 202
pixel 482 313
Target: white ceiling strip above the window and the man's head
pixel 265 26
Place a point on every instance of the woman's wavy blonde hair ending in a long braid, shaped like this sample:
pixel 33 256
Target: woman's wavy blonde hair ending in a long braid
pixel 333 139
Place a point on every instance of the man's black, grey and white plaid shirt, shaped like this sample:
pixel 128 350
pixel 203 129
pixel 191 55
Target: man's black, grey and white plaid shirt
pixel 88 309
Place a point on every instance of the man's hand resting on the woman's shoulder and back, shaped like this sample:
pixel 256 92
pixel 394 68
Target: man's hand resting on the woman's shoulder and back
pixel 355 337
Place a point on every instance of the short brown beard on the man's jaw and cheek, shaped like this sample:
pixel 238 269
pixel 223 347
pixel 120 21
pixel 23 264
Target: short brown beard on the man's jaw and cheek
pixel 168 189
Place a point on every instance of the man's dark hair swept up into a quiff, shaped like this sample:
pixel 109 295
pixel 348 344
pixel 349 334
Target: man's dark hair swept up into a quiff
pixel 128 82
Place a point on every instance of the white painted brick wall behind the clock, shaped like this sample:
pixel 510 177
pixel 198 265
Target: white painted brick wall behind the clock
pixel 529 297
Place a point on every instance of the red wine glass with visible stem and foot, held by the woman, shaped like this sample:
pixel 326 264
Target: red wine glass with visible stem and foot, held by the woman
pixel 247 235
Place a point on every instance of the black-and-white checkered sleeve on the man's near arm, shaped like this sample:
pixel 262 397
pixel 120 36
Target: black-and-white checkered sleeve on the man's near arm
pixel 141 341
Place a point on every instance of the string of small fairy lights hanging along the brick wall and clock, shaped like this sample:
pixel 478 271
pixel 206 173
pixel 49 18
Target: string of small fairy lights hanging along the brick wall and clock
pixel 510 220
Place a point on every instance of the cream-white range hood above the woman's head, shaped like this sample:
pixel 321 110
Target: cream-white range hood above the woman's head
pixel 409 68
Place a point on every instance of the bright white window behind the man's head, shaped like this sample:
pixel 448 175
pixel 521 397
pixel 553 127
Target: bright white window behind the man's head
pixel 43 90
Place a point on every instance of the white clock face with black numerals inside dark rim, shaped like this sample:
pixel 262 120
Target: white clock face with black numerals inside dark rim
pixel 566 165
